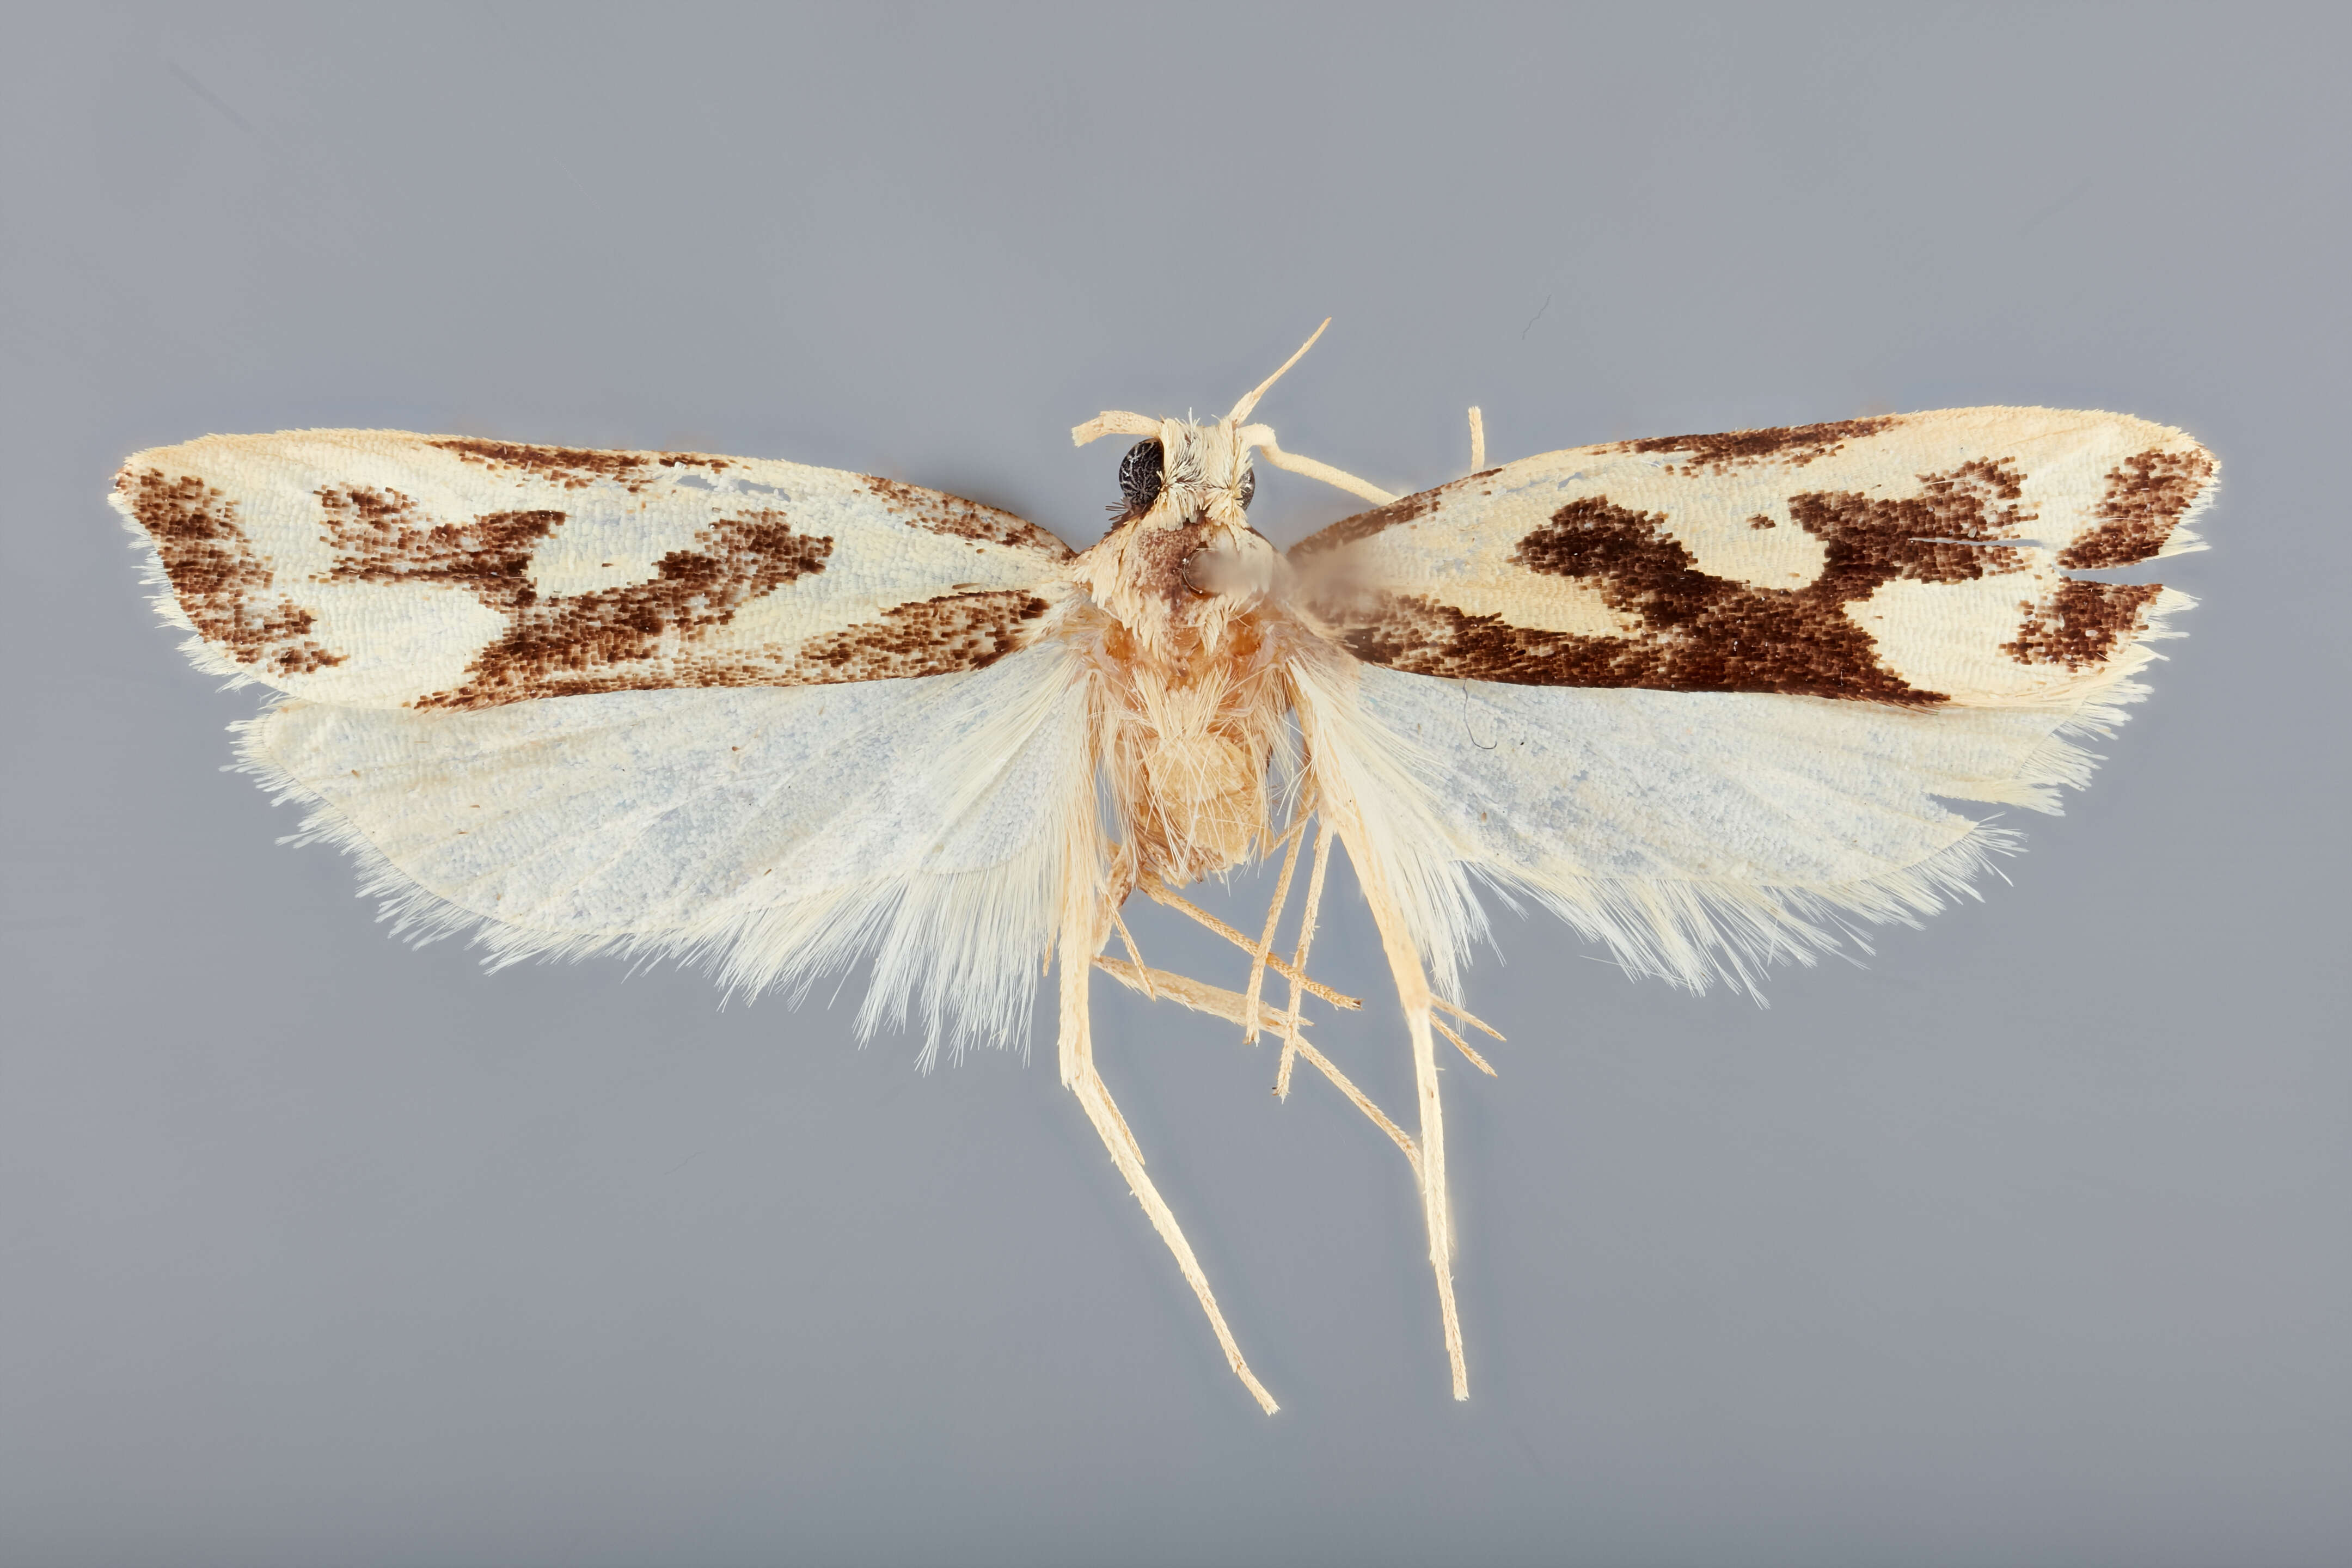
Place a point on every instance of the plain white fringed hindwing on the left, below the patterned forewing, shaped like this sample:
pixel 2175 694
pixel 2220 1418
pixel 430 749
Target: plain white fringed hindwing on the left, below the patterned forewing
pixel 775 833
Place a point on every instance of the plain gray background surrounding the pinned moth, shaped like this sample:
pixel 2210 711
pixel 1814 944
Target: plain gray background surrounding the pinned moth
pixel 2022 1245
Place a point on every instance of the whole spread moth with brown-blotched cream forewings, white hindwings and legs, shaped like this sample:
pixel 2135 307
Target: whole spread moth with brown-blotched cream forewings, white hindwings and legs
pixel 1702 697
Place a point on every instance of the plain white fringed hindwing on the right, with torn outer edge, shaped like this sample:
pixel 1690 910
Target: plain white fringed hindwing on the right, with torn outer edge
pixel 1706 833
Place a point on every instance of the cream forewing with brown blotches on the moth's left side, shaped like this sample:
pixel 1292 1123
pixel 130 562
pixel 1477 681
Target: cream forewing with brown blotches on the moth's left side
pixel 389 570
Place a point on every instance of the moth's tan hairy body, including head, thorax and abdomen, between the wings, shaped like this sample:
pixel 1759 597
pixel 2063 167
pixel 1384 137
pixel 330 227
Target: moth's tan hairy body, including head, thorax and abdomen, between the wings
pixel 1189 643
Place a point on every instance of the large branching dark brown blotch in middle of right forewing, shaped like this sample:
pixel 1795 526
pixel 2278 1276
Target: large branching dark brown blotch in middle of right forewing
pixel 1709 634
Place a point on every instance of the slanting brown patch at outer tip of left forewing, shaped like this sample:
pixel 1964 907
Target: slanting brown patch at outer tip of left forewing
pixel 218 577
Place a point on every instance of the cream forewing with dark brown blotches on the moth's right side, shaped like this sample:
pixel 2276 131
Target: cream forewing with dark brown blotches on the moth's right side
pixel 1913 558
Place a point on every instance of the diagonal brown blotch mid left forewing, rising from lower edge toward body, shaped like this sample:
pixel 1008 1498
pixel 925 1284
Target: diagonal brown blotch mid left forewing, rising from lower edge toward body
pixel 568 645
